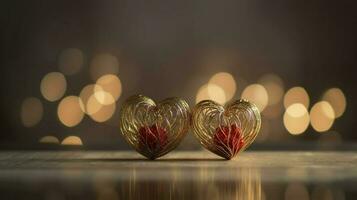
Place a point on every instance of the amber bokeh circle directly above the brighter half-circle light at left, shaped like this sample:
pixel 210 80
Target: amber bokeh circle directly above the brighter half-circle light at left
pixel 69 111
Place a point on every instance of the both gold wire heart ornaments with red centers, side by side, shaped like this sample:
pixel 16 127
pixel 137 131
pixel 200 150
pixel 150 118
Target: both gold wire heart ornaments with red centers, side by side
pixel 154 129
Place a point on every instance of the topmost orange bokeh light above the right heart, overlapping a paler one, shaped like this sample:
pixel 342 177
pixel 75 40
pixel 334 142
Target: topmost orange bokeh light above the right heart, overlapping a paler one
pixel 226 82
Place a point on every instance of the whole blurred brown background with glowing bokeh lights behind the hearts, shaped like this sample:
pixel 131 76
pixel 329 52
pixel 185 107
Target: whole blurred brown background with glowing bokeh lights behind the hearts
pixel 67 66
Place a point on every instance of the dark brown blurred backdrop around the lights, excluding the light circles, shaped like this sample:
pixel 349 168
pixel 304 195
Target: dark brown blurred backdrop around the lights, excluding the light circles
pixel 160 45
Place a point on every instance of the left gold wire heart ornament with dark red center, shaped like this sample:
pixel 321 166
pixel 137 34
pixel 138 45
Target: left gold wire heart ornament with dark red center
pixel 154 129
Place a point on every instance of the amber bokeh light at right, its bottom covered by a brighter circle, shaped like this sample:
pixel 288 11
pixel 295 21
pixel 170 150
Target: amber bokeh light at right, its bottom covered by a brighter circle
pixel 296 95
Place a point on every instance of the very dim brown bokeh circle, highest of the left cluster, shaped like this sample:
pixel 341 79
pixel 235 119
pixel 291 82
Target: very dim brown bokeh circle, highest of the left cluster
pixel 70 61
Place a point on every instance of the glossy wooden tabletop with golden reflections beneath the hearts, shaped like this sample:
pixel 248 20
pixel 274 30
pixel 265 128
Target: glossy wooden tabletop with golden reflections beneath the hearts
pixel 178 175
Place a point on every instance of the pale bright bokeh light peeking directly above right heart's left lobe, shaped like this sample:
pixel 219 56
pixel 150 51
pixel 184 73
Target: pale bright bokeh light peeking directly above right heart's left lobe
pixel 212 92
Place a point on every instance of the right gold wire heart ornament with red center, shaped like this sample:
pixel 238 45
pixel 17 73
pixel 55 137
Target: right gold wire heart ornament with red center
pixel 227 130
